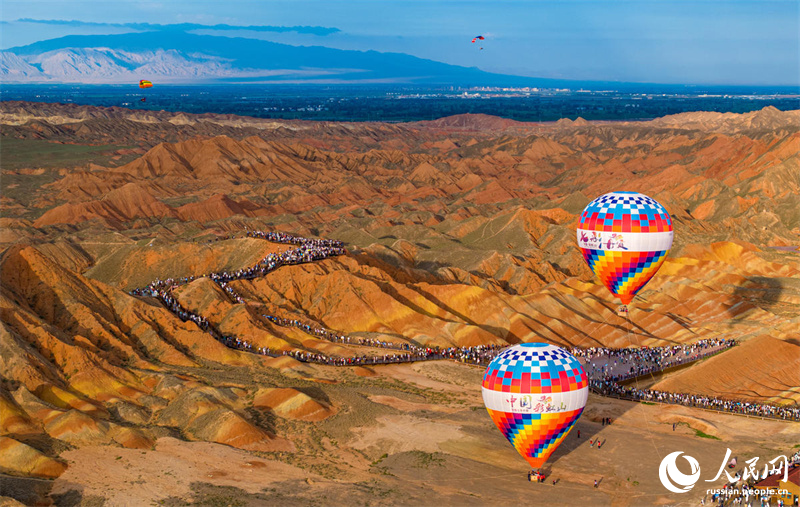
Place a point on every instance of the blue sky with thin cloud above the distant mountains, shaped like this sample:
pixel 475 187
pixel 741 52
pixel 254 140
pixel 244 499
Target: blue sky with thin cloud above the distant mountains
pixel 659 41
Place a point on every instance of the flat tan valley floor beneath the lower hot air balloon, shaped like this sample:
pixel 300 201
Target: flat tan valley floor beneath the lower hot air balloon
pixel 399 447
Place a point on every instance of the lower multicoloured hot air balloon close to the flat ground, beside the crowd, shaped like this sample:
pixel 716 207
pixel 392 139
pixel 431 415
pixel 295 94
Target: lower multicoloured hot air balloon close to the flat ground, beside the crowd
pixel 534 393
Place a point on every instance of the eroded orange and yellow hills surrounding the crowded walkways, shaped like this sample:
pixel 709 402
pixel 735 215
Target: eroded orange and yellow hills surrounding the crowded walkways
pixel 459 232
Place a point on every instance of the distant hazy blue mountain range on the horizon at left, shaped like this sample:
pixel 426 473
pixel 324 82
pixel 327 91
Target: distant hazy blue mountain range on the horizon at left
pixel 179 57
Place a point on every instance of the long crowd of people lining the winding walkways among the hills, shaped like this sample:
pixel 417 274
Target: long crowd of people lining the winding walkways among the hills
pixel 606 367
